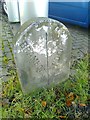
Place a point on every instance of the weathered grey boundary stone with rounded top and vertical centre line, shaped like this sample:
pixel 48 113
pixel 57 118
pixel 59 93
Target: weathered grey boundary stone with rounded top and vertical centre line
pixel 42 53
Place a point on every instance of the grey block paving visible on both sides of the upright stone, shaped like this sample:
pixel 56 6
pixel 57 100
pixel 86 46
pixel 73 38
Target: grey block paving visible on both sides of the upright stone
pixel 8 30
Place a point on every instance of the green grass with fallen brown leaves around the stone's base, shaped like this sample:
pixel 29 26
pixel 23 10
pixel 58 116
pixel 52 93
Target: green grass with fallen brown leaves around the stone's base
pixel 59 102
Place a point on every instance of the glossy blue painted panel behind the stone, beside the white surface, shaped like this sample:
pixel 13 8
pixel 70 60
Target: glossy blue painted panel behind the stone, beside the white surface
pixel 72 12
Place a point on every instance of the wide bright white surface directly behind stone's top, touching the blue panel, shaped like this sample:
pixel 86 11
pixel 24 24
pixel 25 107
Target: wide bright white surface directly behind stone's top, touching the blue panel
pixel 32 8
